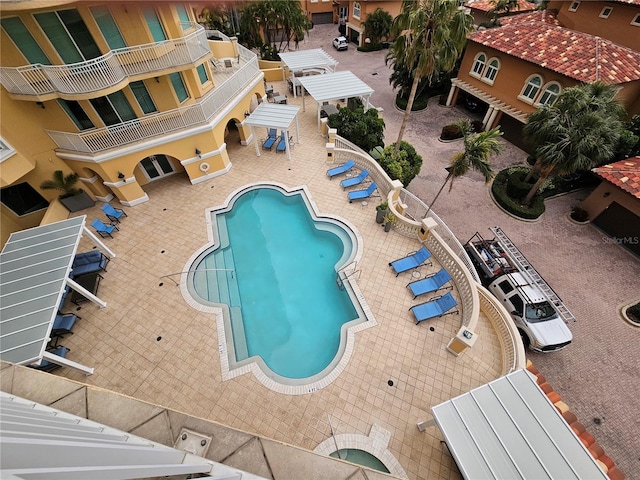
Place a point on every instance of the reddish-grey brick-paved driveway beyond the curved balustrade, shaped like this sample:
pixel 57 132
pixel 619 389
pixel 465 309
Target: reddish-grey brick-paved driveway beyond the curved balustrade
pixel 597 375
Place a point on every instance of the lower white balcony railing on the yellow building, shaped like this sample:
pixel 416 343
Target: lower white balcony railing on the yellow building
pixel 155 125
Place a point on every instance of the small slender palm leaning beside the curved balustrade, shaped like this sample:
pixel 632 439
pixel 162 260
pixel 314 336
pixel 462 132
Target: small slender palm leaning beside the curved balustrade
pixel 478 148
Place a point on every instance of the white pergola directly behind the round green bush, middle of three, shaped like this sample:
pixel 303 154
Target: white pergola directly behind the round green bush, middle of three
pixel 334 86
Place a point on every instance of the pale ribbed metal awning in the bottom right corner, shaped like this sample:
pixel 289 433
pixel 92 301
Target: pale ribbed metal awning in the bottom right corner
pixel 508 428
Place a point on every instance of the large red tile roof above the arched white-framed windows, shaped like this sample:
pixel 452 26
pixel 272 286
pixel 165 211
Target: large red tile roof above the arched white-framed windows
pixel 537 38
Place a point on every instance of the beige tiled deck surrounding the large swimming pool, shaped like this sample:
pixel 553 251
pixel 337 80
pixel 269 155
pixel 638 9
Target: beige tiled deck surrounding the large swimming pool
pixel 149 344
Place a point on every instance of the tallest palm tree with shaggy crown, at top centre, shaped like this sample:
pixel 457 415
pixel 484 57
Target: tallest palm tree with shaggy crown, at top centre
pixel 430 37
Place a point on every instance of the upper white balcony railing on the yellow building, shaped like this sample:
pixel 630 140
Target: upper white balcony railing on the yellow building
pixel 108 70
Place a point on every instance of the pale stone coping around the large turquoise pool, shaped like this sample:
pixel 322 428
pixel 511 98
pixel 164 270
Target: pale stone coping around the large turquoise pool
pixel 255 364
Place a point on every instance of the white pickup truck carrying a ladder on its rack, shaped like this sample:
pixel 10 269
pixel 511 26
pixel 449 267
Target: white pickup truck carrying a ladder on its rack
pixel 534 307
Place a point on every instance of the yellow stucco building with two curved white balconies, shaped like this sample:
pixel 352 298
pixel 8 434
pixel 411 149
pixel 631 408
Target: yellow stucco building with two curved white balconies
pixel 123 94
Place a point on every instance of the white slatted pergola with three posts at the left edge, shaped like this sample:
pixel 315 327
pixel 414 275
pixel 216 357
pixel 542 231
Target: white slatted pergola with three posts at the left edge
pixel 34 272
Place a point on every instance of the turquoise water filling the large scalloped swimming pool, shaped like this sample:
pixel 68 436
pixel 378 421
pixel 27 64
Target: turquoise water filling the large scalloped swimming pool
pixel 275 267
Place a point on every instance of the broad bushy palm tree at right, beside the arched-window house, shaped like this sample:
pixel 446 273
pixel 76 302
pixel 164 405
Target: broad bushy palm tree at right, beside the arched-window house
pixel 580 130
